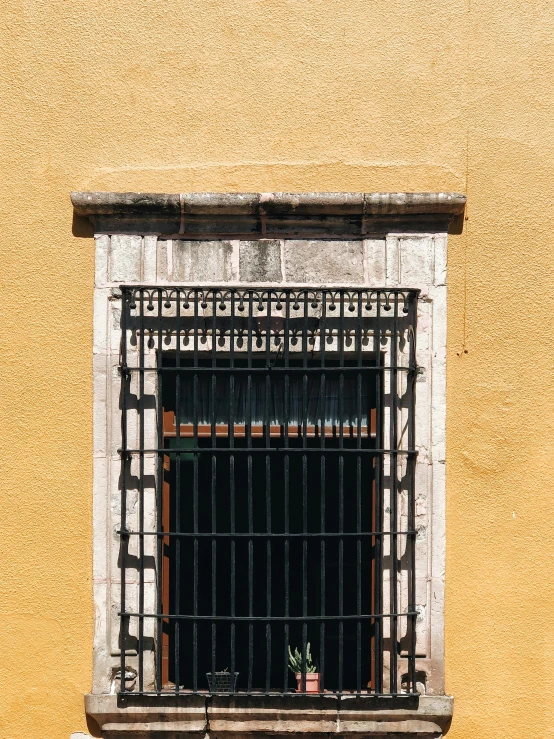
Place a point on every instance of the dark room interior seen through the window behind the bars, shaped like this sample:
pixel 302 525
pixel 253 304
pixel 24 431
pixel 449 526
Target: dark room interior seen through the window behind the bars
pixel 283 491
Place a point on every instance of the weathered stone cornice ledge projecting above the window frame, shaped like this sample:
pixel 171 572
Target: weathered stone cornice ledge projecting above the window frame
pixel 197 215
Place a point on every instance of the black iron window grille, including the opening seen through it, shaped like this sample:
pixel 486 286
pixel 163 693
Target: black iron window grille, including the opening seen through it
pixel 282 457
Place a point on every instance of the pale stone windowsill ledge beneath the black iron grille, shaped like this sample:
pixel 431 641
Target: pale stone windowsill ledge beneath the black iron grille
pixel 424 717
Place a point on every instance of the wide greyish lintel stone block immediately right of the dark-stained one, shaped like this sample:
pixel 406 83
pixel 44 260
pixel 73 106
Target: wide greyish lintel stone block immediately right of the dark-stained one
pixel 318 261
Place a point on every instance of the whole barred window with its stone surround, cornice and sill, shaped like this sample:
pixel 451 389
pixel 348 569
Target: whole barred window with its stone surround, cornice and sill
pixel 290 405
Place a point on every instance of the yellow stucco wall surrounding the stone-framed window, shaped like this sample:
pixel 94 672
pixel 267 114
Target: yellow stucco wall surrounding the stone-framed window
pixel 177 95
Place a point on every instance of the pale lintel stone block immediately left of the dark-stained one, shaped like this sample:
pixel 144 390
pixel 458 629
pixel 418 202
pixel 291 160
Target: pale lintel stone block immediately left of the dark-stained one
pixel 197 261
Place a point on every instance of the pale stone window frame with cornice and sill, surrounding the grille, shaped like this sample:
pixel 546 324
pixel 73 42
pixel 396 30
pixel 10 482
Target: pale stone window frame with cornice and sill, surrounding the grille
pixel 309 240
